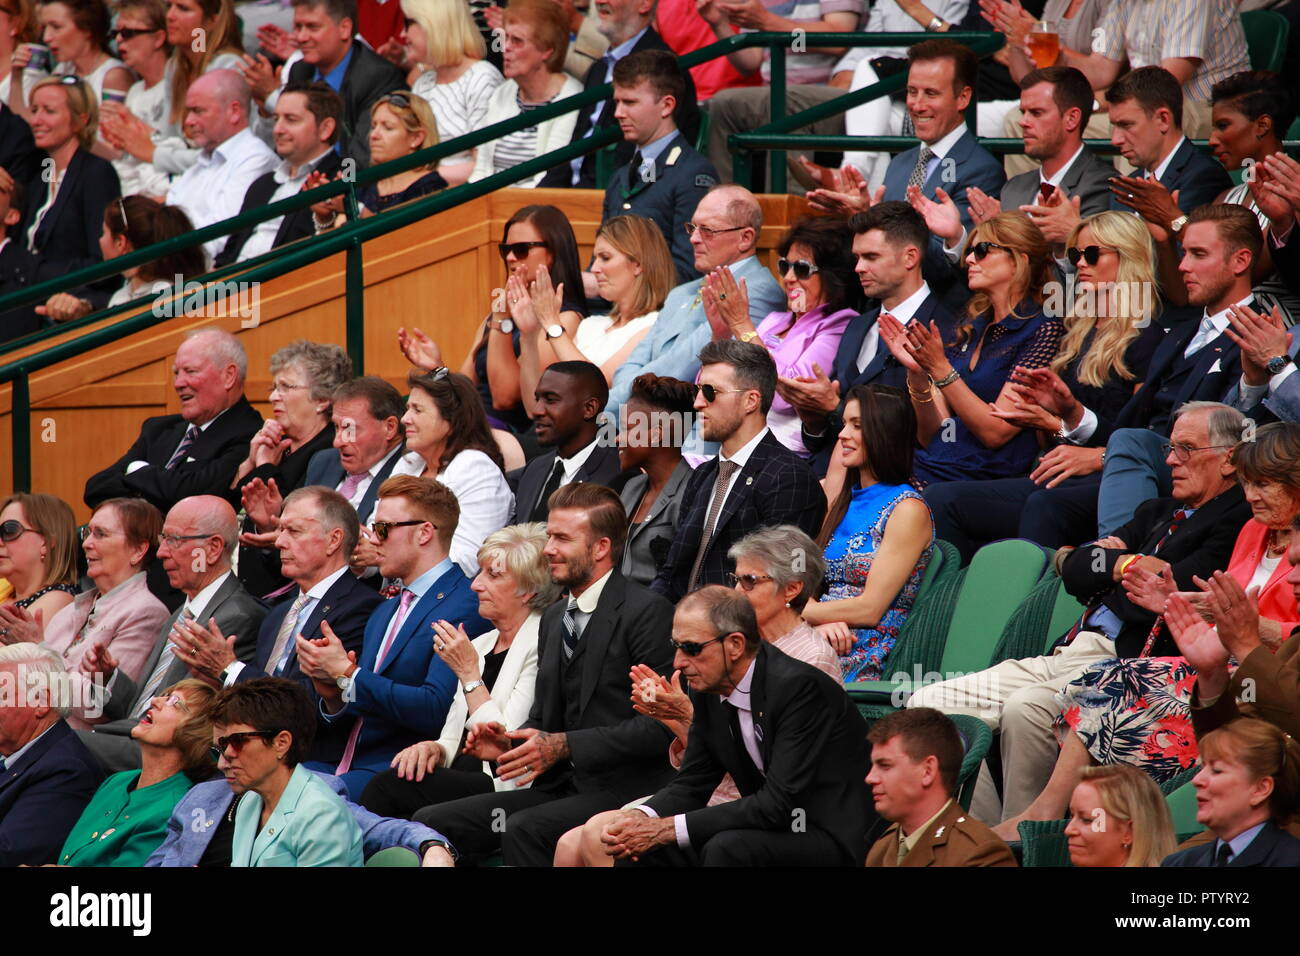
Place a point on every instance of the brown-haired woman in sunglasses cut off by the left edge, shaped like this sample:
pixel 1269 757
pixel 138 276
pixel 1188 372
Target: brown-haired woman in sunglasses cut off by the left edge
pixel 38 557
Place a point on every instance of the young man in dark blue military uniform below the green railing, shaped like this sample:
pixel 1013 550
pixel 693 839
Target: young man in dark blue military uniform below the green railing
pixel 666 179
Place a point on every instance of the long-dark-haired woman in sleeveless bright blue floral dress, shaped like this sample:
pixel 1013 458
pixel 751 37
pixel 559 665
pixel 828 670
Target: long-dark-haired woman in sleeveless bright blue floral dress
pixel 878 535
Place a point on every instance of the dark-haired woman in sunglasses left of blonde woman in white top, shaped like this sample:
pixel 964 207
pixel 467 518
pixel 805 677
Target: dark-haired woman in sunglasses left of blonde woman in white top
pixel 535 237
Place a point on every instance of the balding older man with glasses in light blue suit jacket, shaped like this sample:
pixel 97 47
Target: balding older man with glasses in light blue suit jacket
pixel 723 232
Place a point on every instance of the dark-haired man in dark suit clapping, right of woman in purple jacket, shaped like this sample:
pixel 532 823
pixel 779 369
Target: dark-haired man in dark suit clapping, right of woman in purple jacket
pixel 890 243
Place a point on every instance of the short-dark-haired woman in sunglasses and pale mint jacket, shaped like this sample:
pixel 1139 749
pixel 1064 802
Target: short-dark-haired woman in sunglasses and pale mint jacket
pixel 284 814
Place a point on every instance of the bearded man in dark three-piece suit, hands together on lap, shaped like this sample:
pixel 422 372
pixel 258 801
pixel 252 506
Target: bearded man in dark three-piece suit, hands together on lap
pixel 583 750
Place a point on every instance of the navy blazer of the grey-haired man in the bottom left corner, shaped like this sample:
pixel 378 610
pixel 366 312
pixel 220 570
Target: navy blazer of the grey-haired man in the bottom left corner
pixel 42 797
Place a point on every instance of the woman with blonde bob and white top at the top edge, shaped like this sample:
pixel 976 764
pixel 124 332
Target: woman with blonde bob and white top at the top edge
pixel 447 67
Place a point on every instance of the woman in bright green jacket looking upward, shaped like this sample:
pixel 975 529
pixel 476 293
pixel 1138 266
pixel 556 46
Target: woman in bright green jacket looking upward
pixel 127 819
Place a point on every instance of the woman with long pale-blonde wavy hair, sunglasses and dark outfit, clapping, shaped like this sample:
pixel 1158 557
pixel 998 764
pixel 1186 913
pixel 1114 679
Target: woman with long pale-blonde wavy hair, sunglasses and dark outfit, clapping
pixel 1110 339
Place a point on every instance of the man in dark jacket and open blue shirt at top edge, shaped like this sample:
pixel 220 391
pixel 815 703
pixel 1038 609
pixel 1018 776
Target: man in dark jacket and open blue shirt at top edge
pixel 324 31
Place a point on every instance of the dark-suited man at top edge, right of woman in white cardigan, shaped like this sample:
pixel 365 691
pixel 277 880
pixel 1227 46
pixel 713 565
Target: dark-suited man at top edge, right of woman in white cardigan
pixel 627 25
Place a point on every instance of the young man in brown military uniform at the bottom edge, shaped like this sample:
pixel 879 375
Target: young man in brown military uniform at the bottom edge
pixel 916 759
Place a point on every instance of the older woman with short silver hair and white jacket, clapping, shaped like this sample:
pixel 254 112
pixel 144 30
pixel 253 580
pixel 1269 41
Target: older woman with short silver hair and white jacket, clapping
pixel 497 674
